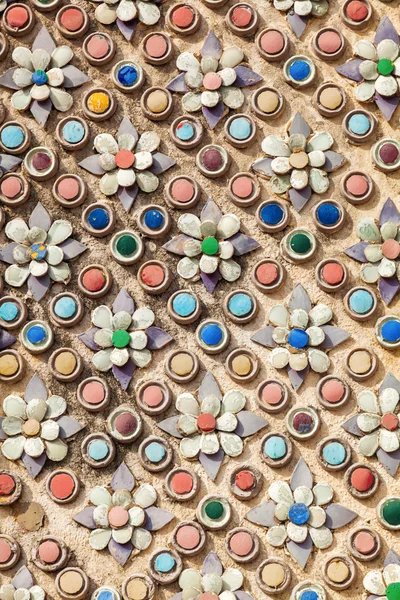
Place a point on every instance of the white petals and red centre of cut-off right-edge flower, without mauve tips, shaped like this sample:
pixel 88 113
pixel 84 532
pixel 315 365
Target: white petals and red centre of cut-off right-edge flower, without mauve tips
pixel 378 421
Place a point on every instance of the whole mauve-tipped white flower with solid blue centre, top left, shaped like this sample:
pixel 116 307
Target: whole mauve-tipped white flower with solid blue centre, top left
pixel 40 77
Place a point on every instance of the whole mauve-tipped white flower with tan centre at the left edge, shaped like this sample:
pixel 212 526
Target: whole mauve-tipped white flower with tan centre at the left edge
pixel 34 427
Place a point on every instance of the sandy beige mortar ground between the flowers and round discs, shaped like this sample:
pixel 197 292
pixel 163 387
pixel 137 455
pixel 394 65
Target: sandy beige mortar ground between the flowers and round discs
pixel 100 567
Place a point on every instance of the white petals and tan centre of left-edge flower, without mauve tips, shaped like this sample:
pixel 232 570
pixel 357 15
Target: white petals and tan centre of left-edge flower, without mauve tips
pixel 31 428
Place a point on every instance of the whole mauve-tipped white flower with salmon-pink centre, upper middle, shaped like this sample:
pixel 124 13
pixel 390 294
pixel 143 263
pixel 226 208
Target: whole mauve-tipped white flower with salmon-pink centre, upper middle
pixel 213 83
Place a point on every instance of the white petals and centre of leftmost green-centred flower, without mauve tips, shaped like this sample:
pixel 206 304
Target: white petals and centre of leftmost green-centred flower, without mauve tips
pixel 121 337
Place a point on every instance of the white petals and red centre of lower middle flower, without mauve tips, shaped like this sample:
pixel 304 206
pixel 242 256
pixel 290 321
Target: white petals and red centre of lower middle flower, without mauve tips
pixel 210 424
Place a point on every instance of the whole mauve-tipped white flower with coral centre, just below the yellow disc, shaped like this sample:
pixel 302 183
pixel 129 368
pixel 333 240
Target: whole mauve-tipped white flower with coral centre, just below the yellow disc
pixel 128 163
